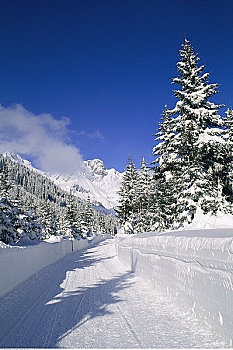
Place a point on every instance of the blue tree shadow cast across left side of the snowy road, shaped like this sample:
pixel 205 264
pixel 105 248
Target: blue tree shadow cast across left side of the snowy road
pixel 38 313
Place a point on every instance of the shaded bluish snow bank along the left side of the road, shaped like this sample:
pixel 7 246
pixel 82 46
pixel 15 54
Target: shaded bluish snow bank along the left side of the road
pixel 20 262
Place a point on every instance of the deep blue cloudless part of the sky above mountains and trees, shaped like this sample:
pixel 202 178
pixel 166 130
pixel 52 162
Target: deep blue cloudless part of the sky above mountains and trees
pixel 107 66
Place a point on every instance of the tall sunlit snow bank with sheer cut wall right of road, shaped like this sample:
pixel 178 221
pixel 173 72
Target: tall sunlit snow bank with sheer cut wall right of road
pixel 194 267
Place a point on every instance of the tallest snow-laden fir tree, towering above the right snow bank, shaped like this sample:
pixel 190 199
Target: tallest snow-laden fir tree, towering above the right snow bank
pixel 192 152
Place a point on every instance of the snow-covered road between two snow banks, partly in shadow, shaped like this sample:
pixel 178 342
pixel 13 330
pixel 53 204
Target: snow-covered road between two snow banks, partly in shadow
pixel 88 299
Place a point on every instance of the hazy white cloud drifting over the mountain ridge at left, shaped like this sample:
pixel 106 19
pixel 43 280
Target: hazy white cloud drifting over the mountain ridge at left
pixel 41 137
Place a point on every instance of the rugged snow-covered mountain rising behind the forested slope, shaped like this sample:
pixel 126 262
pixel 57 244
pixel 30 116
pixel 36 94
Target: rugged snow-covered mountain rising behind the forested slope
pixel 94 180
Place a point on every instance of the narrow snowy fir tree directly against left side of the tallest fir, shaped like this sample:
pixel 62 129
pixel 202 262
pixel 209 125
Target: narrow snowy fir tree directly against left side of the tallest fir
pixel 162 183
